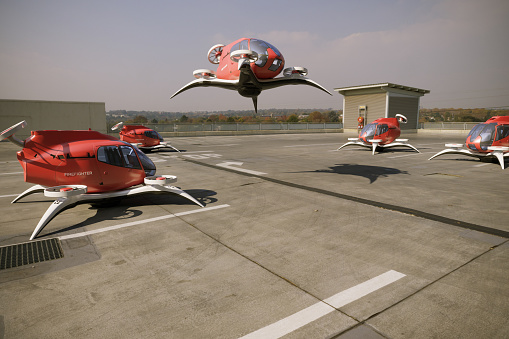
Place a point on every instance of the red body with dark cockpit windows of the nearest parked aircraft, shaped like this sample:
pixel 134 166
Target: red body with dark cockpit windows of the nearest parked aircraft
pixel 101 162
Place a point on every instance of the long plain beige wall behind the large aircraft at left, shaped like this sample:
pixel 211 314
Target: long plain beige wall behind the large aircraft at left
pixel 56 115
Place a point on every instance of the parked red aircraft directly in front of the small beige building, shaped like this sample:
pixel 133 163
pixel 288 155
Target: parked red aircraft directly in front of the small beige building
pixel 381 133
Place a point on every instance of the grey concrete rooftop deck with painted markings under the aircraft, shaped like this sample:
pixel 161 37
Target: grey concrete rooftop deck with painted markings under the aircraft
pixel 305 242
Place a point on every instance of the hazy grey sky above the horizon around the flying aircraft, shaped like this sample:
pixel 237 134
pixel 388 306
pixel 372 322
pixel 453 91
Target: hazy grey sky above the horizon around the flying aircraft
pixel 133 55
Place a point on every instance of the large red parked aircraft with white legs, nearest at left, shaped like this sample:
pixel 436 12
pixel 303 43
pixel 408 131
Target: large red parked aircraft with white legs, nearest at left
pixel 83 166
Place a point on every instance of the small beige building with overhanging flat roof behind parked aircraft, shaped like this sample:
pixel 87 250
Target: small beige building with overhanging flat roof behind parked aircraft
pixel 383 100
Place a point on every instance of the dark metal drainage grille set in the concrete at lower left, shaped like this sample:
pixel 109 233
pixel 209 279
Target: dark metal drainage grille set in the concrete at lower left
pixel 30 253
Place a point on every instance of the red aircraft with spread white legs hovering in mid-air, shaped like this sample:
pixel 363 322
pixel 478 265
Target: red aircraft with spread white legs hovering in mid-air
pixel 248 66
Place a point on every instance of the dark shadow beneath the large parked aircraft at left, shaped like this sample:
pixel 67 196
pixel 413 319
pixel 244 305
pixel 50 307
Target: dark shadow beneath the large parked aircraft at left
pixel 125 208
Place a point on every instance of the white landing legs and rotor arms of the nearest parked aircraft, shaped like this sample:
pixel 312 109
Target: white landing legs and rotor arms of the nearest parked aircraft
pixel 69 195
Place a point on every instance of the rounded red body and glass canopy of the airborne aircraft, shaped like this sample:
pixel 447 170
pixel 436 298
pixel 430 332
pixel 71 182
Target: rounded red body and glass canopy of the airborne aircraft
pixel 269 64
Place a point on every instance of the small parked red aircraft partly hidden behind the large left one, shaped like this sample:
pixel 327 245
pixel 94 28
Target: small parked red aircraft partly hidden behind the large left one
pixel 143 137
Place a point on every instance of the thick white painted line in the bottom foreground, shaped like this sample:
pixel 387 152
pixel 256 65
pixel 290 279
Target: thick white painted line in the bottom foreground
pixel 318 310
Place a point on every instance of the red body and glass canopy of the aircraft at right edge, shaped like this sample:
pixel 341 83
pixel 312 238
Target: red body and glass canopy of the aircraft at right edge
pixel 493 132
